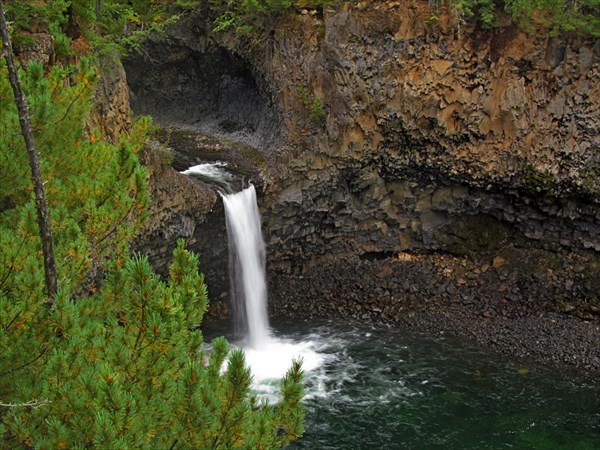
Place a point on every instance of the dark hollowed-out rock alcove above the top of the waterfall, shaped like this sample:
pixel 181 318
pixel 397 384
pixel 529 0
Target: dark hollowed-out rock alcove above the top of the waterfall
pixel 206 88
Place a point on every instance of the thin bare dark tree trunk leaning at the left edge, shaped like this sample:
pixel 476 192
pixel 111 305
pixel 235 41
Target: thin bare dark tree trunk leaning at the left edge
pixel 38 185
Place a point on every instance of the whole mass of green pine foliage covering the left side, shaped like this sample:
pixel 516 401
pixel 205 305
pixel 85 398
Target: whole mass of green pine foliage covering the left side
pixel 119 363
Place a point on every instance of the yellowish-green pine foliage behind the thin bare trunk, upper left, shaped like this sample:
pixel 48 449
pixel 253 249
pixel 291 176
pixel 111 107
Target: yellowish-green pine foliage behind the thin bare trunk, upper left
pixel 96 194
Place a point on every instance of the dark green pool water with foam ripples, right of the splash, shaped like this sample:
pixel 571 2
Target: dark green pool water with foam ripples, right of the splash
pixel 383 389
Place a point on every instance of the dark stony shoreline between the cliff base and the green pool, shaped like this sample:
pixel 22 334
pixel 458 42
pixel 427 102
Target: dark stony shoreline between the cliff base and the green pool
pixel 515 314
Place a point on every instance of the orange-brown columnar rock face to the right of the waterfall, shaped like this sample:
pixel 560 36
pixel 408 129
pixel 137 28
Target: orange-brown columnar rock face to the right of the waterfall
pixel 427 123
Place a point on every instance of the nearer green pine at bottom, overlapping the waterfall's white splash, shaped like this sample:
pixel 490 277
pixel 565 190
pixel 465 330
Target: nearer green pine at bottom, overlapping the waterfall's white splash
pixel 127 370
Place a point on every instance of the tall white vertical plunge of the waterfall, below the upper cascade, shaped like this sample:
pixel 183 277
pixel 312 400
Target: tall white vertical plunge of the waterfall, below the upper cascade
pixel 247 266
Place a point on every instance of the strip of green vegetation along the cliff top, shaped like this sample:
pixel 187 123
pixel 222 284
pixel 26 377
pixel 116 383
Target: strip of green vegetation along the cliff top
pixel 81 27
